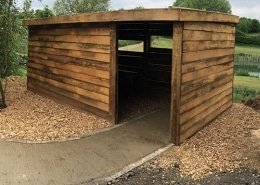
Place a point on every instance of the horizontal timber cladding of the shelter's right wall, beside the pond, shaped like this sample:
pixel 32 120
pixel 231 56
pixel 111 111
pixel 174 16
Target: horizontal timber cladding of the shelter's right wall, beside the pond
pixel 206 74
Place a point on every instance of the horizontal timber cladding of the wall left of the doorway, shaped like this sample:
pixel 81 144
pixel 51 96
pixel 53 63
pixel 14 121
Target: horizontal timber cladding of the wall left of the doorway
pixel 71 63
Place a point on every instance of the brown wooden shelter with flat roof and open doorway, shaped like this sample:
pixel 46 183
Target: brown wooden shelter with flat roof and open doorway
pixel 75 59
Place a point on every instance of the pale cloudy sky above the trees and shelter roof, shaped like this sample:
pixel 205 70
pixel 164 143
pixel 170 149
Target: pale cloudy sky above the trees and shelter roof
pixel 242 8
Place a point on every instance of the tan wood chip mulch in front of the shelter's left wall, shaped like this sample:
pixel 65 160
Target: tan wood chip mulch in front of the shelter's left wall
pixel 33 118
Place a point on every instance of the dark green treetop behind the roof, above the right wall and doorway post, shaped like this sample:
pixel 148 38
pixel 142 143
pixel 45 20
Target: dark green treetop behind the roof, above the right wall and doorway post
pixel 209 5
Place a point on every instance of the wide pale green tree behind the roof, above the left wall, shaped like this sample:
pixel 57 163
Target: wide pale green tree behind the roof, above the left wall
pixel 64 7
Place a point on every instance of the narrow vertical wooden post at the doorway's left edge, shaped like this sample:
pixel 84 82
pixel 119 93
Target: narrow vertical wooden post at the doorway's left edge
pixel 113 70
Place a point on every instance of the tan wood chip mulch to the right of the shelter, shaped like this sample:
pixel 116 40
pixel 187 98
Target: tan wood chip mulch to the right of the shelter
pixel 229 142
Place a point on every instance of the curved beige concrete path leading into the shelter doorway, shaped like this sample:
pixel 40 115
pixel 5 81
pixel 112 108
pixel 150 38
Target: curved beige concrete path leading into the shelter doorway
pixel 80 161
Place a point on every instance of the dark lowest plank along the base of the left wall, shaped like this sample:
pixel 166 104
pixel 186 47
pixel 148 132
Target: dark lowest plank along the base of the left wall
pixel 60 95
